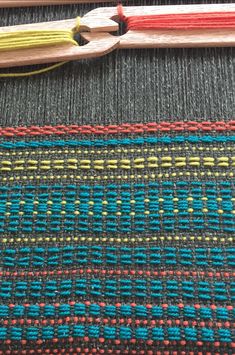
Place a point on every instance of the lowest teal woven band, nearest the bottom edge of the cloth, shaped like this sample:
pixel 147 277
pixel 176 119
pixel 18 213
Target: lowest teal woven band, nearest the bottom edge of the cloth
pixel 121 332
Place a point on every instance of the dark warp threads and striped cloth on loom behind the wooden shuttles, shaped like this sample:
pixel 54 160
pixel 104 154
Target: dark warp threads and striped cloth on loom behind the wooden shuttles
pixel 117 203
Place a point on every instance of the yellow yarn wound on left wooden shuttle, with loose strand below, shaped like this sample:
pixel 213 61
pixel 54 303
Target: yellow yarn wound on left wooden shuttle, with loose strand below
pixel 36 39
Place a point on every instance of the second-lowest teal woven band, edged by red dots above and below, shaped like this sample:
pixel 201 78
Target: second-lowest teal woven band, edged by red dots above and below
pixel 123 310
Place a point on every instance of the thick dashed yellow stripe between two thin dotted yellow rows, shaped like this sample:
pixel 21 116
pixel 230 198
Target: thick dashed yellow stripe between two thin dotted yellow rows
pixel 110 164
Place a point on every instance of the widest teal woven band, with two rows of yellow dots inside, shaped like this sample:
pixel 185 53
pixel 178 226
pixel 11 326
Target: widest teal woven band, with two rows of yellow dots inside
pixel 167 206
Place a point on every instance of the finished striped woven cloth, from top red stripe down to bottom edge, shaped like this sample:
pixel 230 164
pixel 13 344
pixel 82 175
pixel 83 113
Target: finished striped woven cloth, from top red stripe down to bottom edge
pixel 118 239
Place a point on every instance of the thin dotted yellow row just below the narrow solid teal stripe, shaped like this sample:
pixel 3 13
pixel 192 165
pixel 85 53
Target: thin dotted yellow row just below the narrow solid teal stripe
pixel 105 151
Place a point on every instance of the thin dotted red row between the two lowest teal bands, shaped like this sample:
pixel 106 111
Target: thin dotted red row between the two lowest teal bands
pixel 119 321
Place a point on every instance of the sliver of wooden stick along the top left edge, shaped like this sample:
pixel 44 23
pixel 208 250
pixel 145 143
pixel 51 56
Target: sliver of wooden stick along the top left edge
pixel 24 3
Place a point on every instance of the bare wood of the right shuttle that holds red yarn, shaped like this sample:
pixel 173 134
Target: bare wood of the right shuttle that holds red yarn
pixel 169 38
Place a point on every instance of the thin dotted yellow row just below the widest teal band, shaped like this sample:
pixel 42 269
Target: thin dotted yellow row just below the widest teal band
pixel 116 239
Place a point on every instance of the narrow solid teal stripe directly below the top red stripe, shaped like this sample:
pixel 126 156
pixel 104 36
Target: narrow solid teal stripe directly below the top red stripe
pixel 179 139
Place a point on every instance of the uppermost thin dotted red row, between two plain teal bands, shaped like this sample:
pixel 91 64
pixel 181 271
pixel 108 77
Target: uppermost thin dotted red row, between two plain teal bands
pixel 218 274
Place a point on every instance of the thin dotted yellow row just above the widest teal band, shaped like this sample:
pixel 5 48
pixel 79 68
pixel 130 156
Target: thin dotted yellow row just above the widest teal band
pixel 182 174
